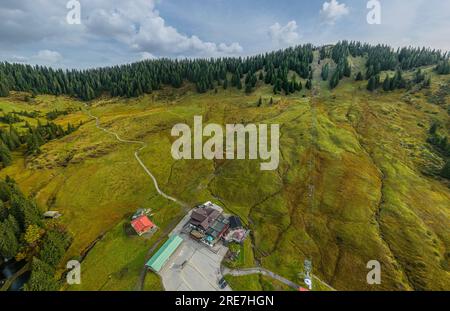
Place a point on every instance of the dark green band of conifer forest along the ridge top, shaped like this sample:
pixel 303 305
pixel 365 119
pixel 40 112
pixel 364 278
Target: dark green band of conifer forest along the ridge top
pixel 273 68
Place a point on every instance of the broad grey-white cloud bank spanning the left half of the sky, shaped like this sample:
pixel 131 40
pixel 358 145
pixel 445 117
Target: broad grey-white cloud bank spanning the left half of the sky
pixel 136 25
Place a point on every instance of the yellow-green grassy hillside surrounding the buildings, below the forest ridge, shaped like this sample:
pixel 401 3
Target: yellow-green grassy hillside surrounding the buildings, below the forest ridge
pixel 378 191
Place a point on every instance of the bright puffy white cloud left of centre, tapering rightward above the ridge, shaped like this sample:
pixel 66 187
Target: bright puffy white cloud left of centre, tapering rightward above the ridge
pixel 139 25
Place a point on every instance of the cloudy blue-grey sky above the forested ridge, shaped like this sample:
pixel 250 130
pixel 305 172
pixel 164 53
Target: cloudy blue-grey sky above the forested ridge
pixel 118 31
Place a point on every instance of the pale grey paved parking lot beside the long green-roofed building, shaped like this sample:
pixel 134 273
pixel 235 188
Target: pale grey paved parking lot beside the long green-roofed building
pixel 193 267
